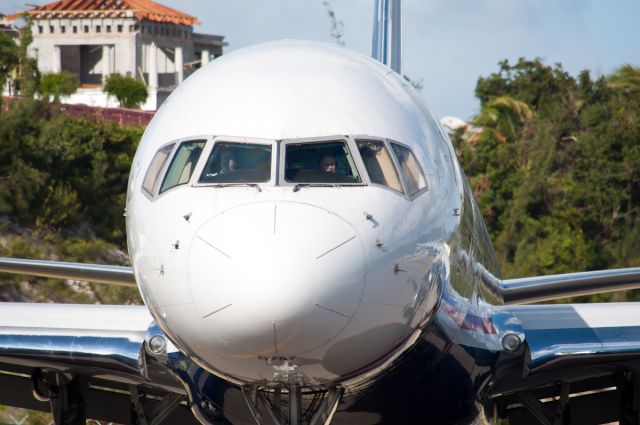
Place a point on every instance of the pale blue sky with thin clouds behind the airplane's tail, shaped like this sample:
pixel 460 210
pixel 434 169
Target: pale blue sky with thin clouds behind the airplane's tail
pixel 447 44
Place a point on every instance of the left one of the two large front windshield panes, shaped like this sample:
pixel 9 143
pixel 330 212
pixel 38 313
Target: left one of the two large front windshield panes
pixel 238 163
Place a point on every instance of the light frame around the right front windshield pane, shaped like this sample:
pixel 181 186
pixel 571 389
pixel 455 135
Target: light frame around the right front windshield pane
pixel 351 145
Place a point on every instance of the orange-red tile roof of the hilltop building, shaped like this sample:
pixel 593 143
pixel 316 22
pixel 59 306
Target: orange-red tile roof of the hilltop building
pixel 140 9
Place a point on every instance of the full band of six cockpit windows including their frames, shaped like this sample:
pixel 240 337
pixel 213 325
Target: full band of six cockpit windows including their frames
pixel 322 162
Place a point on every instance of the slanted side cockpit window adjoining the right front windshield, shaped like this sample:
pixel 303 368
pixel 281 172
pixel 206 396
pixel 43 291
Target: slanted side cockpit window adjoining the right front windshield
pixel 379 164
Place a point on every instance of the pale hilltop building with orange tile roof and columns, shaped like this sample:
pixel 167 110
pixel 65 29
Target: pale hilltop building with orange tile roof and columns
pixel 138 38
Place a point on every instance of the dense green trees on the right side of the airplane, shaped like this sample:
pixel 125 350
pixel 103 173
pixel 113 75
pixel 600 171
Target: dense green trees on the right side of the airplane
pixel 554 162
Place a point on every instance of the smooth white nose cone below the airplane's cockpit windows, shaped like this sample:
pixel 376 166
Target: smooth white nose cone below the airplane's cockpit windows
pixel 275 278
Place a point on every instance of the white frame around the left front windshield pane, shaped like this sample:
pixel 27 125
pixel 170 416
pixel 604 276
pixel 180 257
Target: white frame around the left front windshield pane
pixel 206 153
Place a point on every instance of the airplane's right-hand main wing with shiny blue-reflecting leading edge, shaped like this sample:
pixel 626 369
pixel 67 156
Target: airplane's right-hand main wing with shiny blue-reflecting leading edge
pixel 589 353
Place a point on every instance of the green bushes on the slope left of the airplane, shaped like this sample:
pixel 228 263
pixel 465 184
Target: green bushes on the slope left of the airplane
pixel 62 194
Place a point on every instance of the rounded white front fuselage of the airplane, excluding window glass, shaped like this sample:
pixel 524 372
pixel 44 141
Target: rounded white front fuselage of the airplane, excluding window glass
pixel 261 283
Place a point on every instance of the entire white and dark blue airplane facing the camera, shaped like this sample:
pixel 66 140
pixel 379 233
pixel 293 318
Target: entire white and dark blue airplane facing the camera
pixel 309 252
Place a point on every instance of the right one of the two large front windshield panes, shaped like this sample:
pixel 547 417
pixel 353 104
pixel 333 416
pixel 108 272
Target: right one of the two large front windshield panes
pixel 320 162
